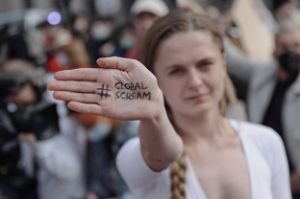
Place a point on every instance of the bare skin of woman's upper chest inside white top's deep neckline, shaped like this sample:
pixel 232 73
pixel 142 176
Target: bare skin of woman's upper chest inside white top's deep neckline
pixel 223 173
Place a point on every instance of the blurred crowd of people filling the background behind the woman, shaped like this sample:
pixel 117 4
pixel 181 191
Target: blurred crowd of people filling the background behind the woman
pixel 49 152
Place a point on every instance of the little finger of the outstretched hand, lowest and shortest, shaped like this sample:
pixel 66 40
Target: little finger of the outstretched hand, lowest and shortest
pixel 85 108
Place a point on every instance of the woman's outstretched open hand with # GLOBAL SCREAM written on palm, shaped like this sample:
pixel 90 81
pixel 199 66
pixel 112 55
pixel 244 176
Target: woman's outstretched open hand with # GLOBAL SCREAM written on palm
pixel 120 88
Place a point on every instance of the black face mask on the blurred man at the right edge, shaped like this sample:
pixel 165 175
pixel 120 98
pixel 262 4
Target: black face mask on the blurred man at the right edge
pixel 290 62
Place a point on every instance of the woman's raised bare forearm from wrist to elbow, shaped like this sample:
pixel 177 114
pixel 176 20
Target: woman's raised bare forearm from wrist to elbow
pixel 160 144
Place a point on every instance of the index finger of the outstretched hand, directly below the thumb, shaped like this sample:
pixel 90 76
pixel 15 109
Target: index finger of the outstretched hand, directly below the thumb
pixel 81 74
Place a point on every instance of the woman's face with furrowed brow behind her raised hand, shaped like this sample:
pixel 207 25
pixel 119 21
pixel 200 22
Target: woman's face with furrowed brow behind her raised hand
pixel 190 71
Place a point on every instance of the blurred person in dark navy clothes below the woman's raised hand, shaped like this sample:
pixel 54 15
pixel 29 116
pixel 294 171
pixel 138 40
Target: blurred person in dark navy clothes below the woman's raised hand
pixel 104 142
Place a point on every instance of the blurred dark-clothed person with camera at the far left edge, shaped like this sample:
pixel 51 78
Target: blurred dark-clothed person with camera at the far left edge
pixel 17 173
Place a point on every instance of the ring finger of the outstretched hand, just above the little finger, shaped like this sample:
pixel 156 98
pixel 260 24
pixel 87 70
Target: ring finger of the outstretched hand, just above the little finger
pixel 79 97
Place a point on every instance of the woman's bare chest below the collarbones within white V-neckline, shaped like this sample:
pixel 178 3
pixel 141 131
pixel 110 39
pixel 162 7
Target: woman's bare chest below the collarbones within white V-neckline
pixel 222 174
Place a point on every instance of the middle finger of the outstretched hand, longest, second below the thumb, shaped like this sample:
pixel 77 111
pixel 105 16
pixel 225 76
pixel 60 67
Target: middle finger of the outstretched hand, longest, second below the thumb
pixel 78 86
